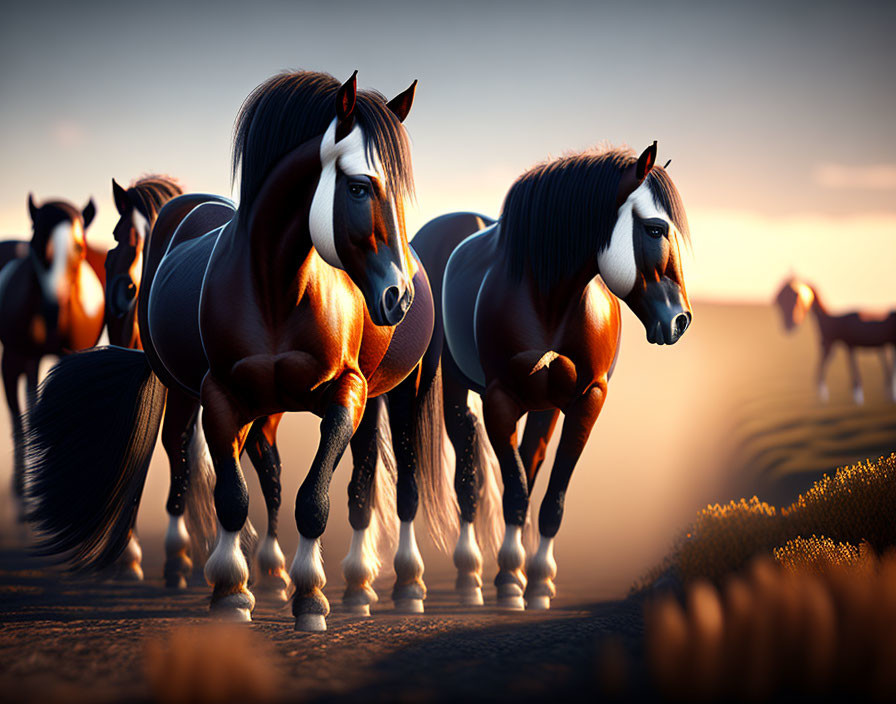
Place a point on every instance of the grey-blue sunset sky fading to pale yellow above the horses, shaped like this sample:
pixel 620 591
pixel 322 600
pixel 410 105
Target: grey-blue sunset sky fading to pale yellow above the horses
pixel 778 116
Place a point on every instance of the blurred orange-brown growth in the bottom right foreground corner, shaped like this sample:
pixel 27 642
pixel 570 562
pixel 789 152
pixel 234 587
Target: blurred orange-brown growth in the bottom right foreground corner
pixel 779 631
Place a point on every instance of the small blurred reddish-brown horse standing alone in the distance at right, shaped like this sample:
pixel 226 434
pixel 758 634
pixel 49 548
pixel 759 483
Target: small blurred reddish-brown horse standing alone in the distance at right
pixel 856 329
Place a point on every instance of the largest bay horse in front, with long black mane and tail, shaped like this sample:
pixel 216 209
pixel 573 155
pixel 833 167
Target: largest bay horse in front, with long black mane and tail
pixel 294 301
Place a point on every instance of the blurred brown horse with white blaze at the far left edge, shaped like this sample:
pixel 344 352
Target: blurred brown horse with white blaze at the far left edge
pixel 51 303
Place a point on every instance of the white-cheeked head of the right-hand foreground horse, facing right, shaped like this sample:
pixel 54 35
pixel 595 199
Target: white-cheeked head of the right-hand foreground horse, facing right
pixel 642 264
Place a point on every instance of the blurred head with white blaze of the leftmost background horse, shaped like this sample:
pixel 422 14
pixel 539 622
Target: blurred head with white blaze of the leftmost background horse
pixel 57 248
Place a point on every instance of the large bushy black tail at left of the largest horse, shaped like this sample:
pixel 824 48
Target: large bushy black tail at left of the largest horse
pixel 88 443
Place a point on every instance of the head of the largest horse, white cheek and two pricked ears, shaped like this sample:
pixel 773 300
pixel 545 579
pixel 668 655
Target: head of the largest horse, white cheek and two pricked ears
pixel 356 221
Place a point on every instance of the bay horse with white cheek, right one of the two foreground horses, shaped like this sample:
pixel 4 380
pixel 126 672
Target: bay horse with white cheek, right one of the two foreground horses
pixel 527 316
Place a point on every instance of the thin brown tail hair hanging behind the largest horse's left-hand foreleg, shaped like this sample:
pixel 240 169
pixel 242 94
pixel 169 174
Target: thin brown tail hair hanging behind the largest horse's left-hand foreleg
pixel 199 505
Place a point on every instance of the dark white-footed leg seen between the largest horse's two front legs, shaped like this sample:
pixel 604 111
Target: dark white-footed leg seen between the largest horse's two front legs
pixel 261 446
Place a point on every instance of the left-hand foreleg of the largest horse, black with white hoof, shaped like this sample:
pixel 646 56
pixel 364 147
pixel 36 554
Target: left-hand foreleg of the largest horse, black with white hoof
pixel 227 570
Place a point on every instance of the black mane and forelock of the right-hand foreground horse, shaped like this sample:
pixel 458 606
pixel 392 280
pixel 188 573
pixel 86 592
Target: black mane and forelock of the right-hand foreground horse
pixel 561 213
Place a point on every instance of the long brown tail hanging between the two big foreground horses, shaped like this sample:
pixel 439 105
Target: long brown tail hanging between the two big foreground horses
pixel 437 497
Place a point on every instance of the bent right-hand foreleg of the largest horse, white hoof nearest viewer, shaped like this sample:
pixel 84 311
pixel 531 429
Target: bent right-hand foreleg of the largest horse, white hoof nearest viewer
pixel 310 607
